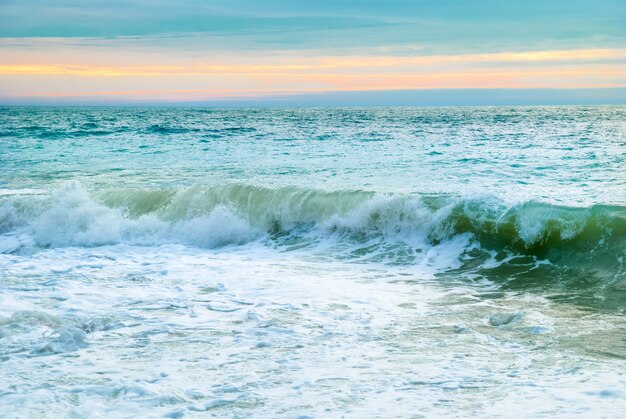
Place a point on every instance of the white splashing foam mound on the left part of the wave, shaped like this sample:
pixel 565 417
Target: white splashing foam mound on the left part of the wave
pixel 74 218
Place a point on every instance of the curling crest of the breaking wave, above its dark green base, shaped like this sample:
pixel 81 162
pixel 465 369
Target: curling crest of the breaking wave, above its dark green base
pixel 236 214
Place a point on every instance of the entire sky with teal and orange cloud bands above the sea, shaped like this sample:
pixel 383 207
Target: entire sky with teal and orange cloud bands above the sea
pixel 313 52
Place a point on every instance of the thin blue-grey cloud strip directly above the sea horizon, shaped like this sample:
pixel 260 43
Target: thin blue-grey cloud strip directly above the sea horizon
pixel 365 98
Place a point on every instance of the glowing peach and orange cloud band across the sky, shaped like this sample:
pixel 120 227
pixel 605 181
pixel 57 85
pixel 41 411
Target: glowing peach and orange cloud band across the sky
pixel 264 76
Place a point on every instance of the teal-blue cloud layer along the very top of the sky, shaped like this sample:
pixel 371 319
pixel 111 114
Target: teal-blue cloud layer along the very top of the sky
pixel 442 26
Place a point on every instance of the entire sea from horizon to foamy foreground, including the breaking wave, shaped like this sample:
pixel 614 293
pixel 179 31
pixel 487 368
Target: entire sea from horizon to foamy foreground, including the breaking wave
pixel 396 262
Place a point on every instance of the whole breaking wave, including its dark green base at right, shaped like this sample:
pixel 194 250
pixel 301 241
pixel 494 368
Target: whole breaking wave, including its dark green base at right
pixel 527 244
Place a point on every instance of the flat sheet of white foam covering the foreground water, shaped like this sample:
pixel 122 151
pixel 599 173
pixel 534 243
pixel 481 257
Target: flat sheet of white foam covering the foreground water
pixel 134 330
